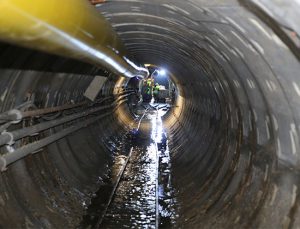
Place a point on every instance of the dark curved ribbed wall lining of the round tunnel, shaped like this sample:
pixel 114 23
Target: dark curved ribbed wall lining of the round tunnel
pixel 233 133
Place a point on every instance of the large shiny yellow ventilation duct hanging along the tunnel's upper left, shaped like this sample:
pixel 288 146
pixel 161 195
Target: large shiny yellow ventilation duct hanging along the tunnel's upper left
pixel 70 28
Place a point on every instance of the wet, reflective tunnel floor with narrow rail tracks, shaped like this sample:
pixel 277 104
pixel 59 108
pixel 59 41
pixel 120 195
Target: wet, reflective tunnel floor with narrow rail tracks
pixel 138 193
